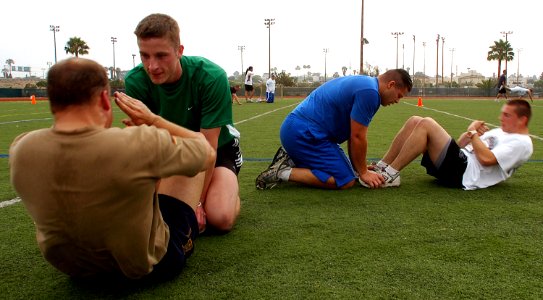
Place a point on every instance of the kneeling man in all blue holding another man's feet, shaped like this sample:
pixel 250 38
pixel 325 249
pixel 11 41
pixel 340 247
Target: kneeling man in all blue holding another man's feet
pixel 338 111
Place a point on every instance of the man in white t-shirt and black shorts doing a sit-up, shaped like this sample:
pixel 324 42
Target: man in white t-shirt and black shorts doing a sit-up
pixel 478 159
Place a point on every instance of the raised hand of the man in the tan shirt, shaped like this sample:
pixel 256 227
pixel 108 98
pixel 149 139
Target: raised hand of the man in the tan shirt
pixel 138 112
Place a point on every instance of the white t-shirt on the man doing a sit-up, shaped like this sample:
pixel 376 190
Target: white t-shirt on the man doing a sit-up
pixel 511 151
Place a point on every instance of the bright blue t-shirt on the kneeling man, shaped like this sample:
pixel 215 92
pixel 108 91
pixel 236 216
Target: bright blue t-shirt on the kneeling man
pixel 331 107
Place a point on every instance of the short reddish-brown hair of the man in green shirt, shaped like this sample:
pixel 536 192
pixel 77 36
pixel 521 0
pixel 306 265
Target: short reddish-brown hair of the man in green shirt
pixel 159 26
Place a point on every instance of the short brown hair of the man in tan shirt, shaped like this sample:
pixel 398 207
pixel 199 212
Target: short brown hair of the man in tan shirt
pixel 75 81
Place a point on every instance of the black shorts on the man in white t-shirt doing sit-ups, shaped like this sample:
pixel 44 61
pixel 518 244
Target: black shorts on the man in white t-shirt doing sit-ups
pixel 452 168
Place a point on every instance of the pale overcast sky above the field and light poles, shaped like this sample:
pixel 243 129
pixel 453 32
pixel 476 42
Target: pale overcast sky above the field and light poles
pixel 302 29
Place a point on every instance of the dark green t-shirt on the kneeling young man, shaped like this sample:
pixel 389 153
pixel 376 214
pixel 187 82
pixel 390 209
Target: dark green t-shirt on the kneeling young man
pixel 199 99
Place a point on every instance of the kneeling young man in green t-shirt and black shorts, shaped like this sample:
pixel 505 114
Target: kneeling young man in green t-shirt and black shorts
pixel 192 92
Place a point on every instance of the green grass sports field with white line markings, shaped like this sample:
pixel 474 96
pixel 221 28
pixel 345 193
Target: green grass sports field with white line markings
pixel 418 241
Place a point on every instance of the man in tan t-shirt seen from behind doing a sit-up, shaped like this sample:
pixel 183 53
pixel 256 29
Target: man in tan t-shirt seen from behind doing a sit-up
pixel 95 192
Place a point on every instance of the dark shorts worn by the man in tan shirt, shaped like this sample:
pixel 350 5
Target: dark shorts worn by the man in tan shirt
pixel 183 226
